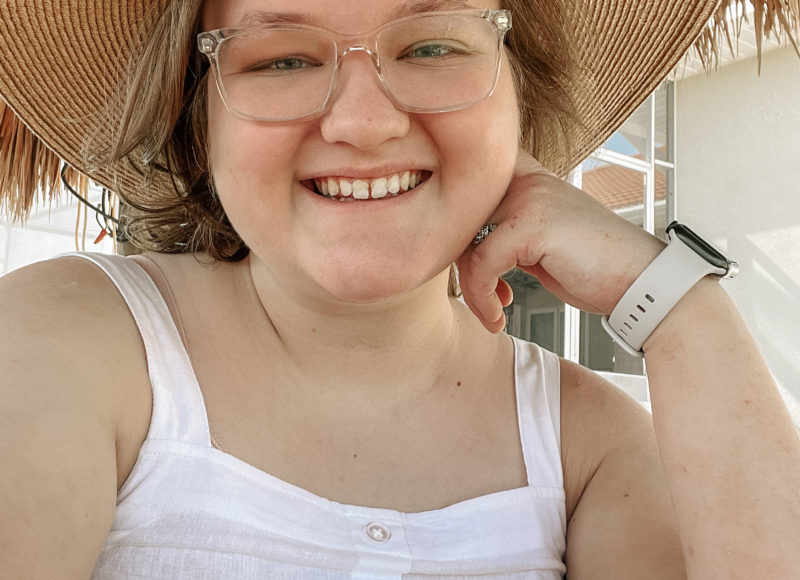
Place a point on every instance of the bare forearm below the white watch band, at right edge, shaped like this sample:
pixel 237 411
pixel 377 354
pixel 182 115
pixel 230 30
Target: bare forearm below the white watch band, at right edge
pixel 729 448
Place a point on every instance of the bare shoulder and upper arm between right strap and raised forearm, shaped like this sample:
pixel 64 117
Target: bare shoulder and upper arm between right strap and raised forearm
pixel 620 518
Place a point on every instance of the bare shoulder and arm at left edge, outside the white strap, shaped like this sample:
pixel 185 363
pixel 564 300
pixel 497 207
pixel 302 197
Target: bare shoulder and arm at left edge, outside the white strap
pixel 70 356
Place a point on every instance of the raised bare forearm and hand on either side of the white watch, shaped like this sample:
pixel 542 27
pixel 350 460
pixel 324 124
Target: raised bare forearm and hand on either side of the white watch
pixel 730 453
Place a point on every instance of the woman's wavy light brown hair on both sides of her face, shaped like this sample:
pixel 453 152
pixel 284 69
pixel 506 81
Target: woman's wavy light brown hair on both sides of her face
pixel 159 117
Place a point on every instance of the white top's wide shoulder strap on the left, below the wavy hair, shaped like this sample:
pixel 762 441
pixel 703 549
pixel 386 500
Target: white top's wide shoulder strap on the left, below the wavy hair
pixel 179 413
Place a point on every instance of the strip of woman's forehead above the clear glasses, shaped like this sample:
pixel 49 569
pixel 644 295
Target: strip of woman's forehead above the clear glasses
pixel 345 16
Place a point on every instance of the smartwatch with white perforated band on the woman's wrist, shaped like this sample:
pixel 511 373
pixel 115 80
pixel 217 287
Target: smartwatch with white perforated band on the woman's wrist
pixel 686 259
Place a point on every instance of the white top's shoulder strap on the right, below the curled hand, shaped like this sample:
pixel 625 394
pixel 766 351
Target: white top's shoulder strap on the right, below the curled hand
pixel 538 387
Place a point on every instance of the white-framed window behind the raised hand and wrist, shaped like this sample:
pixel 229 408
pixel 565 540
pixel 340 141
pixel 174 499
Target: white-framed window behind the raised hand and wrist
pixel 633 174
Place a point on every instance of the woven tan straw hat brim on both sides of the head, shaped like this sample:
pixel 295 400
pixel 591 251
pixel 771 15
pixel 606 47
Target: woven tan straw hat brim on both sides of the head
pixel 62 59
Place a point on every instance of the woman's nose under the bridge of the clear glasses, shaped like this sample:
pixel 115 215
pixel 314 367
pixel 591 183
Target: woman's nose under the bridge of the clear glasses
pixel 361 113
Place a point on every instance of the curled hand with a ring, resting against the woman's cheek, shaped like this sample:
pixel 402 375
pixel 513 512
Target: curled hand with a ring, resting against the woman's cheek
pixel 580 251
